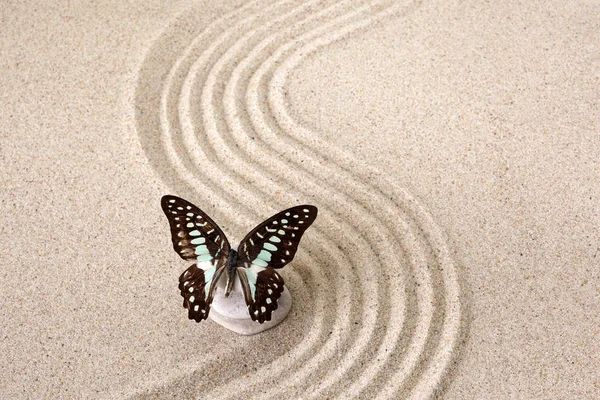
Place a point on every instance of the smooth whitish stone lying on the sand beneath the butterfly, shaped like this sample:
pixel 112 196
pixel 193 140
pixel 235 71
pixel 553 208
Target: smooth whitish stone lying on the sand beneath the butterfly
pixel 232 312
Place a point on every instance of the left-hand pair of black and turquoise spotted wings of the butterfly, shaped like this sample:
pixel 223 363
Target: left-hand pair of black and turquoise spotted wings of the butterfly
pixel 196 237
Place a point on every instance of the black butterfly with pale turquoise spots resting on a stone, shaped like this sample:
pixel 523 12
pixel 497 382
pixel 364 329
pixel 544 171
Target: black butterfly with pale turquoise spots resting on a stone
pixel 268 247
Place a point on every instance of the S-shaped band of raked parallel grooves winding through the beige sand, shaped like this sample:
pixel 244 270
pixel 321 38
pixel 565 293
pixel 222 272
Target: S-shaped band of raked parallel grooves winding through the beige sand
pixel 395 277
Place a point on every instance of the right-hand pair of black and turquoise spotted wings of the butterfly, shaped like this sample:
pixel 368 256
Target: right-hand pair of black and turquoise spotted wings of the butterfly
pixel 269 246
